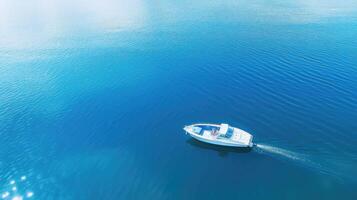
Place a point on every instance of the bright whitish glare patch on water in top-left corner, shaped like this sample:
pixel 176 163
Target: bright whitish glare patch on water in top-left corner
pixel 37 24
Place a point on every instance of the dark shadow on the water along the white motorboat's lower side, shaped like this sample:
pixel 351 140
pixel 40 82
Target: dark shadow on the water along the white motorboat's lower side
pixel 222 150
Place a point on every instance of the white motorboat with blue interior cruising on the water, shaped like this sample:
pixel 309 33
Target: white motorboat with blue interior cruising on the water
pixel 220 134
